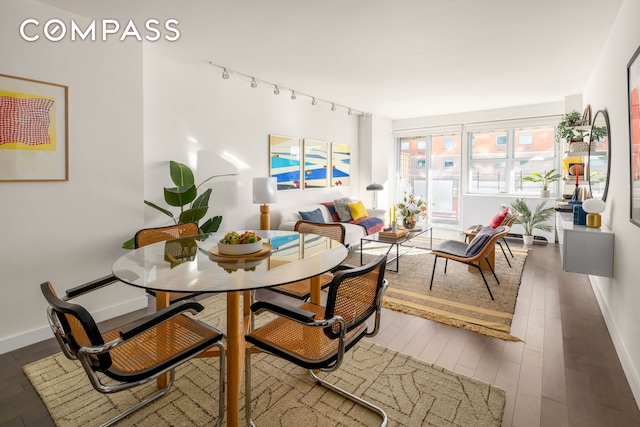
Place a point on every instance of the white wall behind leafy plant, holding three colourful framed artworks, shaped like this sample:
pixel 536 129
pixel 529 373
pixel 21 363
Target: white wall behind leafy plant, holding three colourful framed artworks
pixel 189 107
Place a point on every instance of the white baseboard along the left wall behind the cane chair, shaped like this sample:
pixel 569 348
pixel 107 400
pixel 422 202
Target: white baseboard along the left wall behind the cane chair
pixel 40 334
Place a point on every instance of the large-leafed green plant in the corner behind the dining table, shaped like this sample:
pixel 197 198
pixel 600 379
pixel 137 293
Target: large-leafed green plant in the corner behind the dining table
pixel 193 207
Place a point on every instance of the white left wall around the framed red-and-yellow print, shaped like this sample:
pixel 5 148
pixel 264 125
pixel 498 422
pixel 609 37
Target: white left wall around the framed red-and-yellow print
pixel 70 232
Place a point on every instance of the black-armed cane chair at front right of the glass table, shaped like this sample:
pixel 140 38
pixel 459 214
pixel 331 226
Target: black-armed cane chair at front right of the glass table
pixel 316 337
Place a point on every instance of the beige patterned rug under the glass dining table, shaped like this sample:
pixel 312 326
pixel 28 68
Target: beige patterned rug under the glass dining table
pixel 412 393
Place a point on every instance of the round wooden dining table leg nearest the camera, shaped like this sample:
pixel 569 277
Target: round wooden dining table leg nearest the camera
pixel 235 357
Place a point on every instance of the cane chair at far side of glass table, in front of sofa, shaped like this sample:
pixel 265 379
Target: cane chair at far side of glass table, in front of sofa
pixel 302 289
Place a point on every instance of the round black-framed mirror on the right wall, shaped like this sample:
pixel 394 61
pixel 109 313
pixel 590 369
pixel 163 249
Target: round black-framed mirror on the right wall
pixel 599 155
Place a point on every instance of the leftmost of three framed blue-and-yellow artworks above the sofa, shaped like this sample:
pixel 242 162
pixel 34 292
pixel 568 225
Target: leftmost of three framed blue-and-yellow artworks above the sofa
pixel 285 161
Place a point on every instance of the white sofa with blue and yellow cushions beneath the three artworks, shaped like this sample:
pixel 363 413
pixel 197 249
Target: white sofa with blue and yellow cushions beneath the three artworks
pixel 286 218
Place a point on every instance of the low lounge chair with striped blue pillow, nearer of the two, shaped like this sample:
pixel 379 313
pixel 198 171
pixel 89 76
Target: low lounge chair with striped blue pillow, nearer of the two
pixel 455 250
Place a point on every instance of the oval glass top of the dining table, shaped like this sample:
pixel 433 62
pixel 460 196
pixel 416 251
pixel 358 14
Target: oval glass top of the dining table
pixel 193 264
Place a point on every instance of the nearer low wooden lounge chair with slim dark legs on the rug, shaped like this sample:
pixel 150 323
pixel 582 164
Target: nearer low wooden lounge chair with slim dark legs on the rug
pixel 473 253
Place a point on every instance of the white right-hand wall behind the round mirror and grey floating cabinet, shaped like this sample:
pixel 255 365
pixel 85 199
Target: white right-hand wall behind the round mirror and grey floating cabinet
pixel 607 89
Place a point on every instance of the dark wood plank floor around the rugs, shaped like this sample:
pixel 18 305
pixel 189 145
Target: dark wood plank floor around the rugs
pixel 566 373
